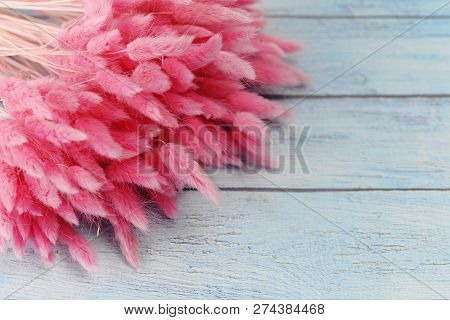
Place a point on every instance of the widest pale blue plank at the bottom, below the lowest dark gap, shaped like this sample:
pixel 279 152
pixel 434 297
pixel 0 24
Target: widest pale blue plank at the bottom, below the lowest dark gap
pixel 268 245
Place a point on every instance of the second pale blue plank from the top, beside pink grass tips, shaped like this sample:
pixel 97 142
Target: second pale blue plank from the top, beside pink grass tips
pixel 368 56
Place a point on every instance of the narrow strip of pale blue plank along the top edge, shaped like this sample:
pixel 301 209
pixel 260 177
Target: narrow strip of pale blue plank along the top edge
pixel 354 8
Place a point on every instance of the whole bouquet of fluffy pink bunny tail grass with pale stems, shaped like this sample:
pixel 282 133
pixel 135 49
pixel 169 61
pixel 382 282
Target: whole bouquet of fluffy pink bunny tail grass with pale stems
pixel 108 103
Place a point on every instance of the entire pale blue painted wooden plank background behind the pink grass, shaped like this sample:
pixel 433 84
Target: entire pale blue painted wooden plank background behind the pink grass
pixel 369 221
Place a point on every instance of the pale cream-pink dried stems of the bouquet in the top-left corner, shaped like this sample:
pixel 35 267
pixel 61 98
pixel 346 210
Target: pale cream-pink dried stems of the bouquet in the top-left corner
pixel 28 31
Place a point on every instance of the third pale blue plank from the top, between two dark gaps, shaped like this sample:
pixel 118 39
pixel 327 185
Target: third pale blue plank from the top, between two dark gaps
pixel 356 143
